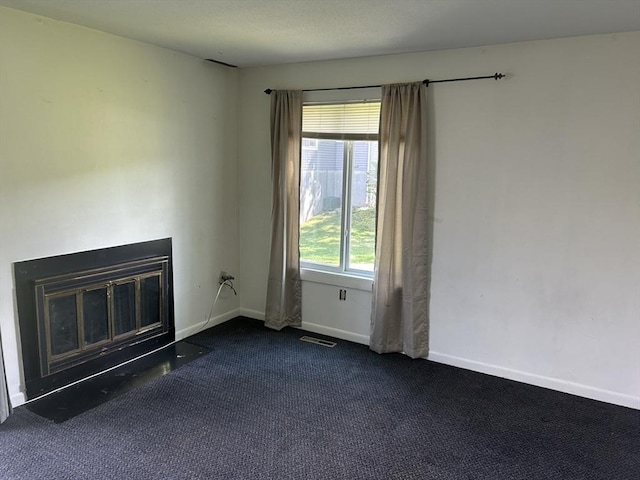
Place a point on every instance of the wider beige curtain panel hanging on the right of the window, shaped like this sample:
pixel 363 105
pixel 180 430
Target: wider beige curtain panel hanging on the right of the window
pixel 399 320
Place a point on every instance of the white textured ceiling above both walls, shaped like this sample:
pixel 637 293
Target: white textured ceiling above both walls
pixel 263 32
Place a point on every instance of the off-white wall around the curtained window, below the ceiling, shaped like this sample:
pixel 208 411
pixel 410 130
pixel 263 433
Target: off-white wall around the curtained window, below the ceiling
pixel 536 270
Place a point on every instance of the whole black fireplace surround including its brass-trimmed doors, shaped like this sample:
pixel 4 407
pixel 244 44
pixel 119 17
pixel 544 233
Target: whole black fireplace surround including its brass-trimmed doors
pixel 84 312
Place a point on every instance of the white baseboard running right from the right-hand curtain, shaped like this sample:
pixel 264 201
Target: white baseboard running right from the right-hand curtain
pixel 539 380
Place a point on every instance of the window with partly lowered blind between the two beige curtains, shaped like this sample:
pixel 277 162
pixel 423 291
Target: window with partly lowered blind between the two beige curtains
pixel 338 185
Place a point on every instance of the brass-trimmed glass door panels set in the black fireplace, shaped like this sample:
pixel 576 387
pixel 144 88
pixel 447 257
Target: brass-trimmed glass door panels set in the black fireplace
pixel 82 316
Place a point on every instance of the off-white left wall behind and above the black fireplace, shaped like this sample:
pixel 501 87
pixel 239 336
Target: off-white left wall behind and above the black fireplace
pixel 106 141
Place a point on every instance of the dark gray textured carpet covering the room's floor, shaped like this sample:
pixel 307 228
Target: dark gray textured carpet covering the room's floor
pixel 263 405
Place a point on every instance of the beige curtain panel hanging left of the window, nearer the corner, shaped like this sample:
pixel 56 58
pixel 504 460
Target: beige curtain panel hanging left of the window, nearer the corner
pixel 284 289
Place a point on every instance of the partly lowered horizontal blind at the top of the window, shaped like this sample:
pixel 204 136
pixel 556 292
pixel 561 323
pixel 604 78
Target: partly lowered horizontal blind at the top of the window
pixel 338 121
